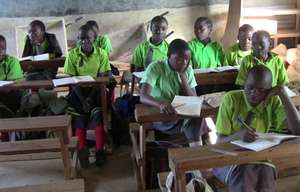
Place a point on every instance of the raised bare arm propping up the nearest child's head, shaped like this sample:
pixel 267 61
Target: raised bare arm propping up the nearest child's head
pixel 292 114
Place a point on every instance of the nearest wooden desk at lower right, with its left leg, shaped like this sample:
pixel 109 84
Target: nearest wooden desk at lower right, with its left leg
pixel 203 157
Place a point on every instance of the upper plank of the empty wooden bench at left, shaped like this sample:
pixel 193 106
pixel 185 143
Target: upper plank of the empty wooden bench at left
pixel 54 123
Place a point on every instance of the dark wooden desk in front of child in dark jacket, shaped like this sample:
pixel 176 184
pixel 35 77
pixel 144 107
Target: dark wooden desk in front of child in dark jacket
pixel 52 63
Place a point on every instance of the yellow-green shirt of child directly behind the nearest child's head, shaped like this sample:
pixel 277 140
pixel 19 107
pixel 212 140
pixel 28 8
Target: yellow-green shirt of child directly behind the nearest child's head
pixel 274 63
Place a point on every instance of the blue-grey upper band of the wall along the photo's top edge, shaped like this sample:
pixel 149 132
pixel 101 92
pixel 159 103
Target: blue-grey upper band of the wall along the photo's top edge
pixel 42 8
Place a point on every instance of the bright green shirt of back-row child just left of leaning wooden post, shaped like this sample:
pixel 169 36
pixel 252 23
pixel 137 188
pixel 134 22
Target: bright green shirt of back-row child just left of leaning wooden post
pixel 206 56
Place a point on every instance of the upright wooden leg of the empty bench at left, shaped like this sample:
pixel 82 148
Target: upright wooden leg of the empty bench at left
pixel 65 154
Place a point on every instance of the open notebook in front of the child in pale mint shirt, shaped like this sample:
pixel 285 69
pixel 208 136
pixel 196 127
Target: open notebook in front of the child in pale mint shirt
pixel 187 105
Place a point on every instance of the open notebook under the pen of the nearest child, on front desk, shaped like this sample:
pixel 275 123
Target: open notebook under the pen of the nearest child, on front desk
pixel 264 141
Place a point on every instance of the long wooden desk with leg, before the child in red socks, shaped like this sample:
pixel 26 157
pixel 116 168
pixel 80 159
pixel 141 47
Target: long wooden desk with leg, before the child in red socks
pixel 48 84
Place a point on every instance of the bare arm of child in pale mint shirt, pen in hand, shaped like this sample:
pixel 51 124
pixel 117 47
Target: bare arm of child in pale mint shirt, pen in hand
pixel 147 99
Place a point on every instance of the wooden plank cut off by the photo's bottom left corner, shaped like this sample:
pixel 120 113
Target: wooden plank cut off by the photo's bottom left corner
pixel 76 185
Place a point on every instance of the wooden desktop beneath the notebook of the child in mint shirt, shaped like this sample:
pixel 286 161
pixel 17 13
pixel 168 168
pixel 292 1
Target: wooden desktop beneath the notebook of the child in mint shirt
pixel 146 114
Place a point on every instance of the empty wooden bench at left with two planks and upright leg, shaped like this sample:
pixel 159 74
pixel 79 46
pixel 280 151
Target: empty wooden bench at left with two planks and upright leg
pixel 60 124
